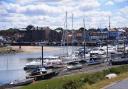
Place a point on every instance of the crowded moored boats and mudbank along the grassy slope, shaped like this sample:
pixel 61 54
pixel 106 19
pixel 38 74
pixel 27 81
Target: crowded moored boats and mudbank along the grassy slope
pixel 56 65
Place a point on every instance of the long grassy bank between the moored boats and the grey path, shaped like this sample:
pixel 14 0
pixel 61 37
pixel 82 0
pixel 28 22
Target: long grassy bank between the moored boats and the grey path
pixel 80 81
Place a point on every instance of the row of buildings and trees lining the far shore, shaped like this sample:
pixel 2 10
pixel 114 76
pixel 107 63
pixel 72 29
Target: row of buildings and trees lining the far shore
pixel 45 34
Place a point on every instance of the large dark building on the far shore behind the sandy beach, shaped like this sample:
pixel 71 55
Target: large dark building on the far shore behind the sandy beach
pixel 38 34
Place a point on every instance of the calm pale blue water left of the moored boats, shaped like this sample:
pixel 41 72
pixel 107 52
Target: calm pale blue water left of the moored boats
pixel 11 65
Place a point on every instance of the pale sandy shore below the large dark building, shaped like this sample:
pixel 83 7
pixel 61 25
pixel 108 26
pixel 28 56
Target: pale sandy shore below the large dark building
pixel 30 49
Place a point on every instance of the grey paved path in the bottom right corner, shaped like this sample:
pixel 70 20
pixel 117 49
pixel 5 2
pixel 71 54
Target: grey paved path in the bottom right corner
pixel 119 85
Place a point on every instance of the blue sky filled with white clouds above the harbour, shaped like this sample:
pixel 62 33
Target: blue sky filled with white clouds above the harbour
pixel 52 13
